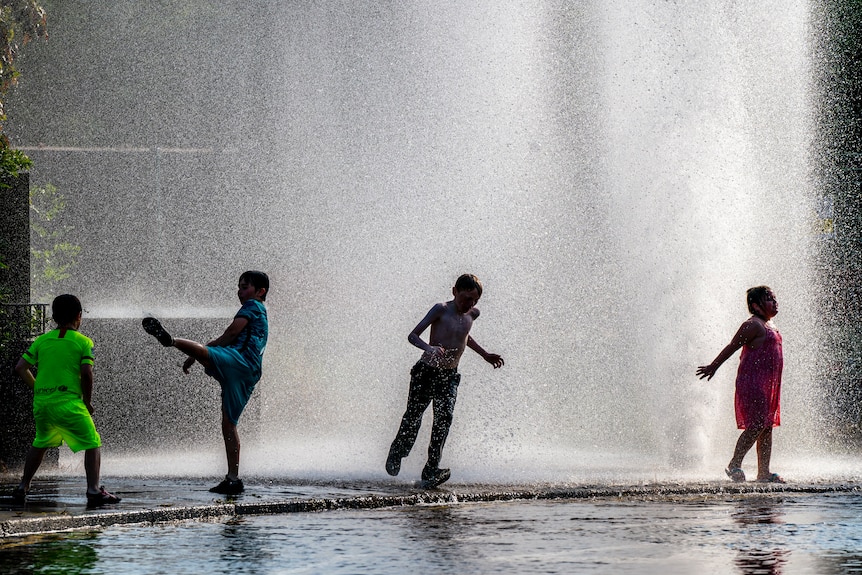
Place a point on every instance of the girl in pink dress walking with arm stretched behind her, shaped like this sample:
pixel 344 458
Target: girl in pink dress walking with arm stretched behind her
pixel 758 383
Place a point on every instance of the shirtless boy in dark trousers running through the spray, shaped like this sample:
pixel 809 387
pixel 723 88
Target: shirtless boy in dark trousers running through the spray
pixel 435 376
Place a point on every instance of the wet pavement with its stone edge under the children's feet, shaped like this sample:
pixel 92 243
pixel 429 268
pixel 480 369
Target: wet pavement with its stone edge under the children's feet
pixel 58 503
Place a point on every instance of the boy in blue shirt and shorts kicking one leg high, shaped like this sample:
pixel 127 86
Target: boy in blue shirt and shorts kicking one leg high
pixel 234 360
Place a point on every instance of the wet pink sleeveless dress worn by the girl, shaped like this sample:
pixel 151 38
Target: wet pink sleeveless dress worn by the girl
pixel 758 384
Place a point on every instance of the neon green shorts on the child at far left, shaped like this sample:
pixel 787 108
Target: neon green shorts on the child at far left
pixel 67 421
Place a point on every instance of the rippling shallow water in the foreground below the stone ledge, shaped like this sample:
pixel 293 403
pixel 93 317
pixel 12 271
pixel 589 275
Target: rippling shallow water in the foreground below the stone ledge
pixel 772 533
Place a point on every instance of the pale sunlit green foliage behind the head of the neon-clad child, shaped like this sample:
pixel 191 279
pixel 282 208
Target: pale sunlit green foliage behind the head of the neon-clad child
pixel 51 257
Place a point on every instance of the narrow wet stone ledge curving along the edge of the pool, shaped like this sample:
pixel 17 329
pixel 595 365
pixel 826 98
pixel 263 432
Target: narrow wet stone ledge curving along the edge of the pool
pixel 97 520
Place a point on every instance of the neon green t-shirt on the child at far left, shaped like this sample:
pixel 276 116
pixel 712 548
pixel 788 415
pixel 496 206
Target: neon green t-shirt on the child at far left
pixel 59 355
